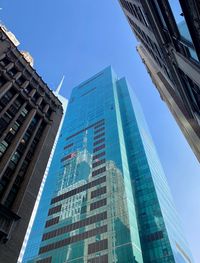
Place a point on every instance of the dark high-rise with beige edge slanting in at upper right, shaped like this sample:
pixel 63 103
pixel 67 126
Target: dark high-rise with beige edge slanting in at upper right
pixel 168 32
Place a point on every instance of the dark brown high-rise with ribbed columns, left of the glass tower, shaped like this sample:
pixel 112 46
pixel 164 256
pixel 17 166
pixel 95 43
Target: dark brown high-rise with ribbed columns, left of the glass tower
pixel 30 115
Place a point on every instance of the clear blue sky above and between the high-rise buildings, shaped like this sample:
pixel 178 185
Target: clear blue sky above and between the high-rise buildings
pixel 78 38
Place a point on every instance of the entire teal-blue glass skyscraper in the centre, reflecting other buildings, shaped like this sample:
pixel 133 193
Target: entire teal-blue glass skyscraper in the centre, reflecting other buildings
pixel 106 198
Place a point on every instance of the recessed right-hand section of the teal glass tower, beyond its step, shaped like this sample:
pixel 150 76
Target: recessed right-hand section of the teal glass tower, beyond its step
pixel 160 232
